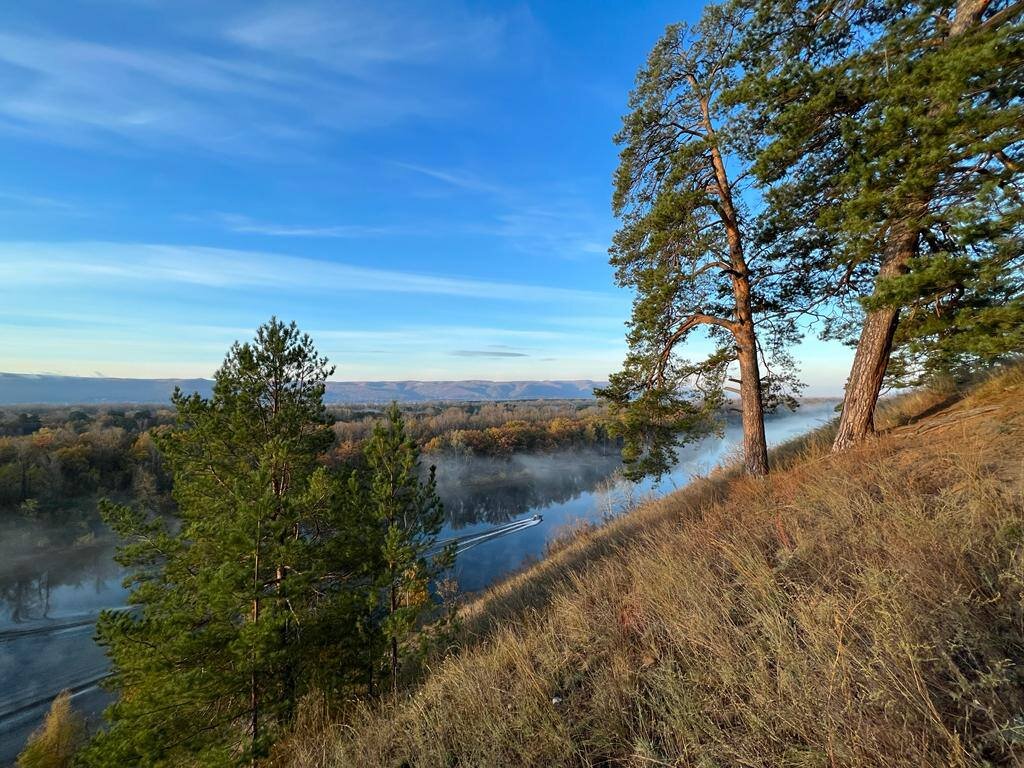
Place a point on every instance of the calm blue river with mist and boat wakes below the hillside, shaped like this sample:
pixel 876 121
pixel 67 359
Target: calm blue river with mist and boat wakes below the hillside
pixel 49 605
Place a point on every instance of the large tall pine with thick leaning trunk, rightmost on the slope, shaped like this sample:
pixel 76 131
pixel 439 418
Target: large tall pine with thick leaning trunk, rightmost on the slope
pixel 887 126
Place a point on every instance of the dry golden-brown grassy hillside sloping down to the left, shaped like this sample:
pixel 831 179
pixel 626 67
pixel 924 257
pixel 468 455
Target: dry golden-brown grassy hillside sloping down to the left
pixel 862 610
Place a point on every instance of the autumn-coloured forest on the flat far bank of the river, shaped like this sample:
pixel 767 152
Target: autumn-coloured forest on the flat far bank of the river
pixel 57 463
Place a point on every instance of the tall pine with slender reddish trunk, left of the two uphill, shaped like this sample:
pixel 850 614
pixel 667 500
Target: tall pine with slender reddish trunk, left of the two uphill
pixel 684 248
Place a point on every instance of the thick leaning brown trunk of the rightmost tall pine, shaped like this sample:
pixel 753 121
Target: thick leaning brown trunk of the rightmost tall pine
pixel 869 371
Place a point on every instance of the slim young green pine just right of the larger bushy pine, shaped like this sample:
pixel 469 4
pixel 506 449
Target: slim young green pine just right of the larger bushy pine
pixel 408 517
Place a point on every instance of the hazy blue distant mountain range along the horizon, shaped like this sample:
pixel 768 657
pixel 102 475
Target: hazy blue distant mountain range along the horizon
pixel 45 390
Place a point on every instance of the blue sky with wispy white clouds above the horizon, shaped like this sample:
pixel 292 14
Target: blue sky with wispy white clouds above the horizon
pixel 423 187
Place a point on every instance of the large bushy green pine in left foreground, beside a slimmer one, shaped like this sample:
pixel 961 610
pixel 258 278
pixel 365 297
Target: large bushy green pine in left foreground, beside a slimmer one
pixel 241 600
